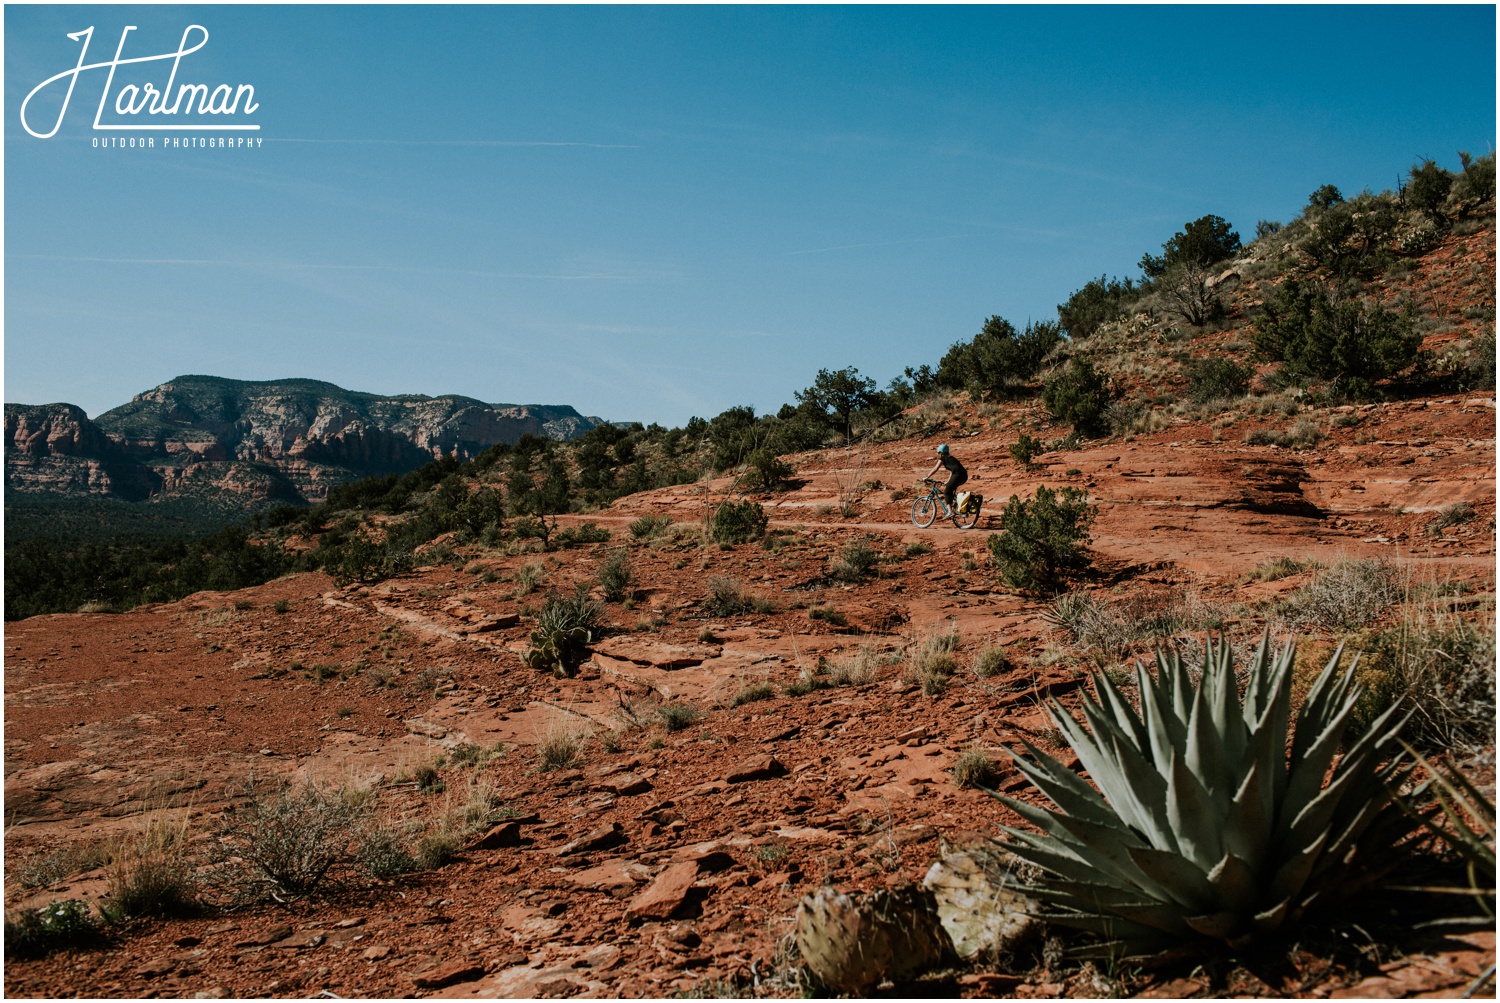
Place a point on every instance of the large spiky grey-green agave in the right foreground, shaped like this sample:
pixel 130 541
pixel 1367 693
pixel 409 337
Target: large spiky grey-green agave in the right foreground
pixel 1205 827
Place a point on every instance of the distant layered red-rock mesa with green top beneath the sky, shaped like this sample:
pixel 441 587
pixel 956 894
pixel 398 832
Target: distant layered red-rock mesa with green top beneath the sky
pixel 254 442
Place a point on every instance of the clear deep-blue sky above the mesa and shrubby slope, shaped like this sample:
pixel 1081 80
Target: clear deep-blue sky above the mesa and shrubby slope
pixel 661 212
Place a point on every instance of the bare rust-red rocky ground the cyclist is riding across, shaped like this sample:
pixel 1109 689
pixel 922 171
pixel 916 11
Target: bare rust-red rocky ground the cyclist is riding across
pixel 170 707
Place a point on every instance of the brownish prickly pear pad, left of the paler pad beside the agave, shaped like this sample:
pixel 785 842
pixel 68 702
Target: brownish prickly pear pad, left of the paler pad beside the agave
pixel 856 942
